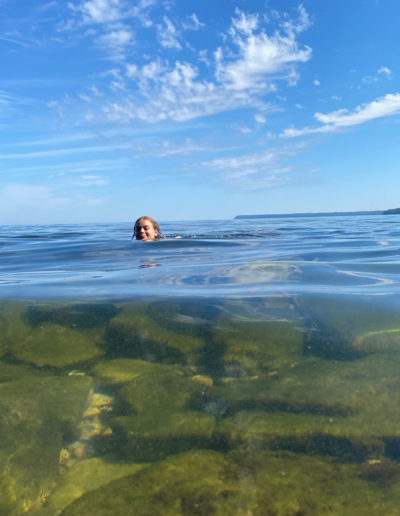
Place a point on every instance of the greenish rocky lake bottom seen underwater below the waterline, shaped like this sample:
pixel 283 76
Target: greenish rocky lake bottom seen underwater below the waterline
pixel 277 405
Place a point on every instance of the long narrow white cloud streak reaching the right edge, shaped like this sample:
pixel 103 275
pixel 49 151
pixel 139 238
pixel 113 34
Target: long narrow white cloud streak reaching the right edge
pixel 389 105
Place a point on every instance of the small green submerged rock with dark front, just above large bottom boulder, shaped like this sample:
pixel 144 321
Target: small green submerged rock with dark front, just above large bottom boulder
pixel 153 436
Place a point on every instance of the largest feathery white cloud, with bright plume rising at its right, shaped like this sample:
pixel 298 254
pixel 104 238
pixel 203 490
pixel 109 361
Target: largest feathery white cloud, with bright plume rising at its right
pixel 243 72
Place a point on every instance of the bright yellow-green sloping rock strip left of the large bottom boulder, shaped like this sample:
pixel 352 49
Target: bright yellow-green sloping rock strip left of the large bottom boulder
pixel 83 477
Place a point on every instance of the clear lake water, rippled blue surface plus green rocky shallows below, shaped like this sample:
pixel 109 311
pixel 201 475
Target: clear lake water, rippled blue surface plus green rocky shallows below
pixel 250 367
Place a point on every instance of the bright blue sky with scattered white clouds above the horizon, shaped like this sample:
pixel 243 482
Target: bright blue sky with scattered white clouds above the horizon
pixel 110 109
